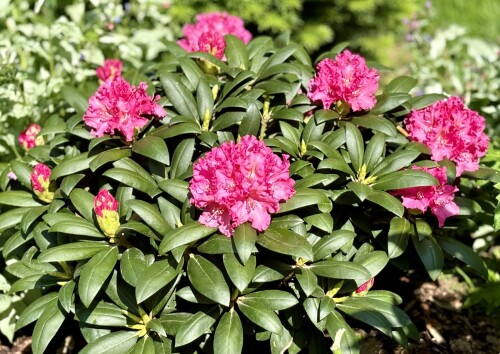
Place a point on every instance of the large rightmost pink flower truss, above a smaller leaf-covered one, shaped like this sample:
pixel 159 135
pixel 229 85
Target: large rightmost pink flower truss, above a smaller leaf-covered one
pixel 451 131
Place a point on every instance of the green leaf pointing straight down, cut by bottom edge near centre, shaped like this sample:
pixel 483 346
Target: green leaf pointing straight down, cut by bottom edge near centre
pixel 228 337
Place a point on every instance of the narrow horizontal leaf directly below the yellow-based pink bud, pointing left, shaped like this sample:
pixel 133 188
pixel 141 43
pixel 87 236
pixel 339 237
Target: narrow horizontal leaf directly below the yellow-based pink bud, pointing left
pixel 72 251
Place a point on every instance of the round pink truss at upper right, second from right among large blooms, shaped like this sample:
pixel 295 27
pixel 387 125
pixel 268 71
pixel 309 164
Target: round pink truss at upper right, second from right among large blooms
pixel 345 78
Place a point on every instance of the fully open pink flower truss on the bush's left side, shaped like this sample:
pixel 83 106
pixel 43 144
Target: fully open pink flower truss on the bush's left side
pixel 117 105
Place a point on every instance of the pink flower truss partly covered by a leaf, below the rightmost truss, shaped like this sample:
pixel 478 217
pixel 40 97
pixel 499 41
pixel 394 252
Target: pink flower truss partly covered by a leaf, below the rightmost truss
pixel 439 199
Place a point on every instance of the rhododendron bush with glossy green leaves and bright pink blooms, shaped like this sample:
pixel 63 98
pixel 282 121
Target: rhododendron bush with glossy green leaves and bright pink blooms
pixel 309 196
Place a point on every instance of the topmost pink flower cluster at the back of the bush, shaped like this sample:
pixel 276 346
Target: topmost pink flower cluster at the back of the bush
pixel 207 34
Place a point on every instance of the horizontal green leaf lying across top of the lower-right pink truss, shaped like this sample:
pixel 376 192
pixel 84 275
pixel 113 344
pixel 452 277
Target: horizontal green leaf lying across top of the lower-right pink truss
pixel 404 179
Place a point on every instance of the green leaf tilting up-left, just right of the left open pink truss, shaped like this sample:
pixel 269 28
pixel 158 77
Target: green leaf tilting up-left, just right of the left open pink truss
pixel 178 94
